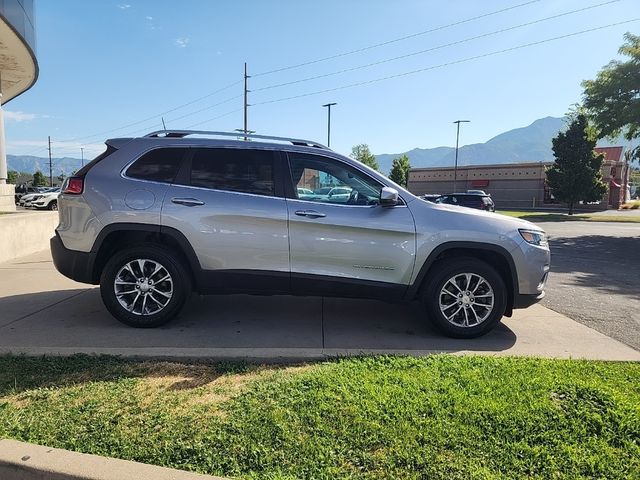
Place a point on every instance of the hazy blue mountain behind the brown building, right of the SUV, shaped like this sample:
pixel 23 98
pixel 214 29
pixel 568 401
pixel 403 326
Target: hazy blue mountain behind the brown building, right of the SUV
pixel 527 144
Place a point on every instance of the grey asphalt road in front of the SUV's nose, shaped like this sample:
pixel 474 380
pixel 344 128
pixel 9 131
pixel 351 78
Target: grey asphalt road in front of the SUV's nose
pixel 595 276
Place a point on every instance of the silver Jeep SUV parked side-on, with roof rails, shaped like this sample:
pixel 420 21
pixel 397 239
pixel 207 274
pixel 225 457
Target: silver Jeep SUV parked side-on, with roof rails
pixel 154 218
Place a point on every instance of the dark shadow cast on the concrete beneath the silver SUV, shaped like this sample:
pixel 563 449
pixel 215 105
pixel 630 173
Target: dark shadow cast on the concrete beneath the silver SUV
pixel 76 319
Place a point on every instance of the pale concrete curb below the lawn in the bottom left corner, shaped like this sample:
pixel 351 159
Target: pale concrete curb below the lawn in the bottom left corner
pixel 26 461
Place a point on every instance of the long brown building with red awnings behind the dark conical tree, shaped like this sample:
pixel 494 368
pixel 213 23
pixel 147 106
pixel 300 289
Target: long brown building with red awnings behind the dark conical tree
pixel 517 185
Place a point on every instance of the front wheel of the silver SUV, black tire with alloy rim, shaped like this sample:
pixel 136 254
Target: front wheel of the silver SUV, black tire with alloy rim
pixel 454 269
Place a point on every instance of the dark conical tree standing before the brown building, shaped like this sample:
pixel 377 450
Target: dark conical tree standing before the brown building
pixel 576 174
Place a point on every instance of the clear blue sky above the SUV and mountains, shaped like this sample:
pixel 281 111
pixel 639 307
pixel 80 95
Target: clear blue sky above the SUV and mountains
pixel 110 69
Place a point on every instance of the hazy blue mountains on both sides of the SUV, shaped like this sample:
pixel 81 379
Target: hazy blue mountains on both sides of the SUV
pixel 527 144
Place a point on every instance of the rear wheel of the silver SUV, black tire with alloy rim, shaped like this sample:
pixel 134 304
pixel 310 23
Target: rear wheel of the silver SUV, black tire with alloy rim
pixel 178 285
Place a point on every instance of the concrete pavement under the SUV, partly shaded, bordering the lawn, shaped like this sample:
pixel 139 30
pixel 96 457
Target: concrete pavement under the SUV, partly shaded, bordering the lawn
pixel 41 312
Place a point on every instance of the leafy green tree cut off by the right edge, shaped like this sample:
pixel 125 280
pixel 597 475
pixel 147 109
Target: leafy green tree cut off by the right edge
pixel 612 100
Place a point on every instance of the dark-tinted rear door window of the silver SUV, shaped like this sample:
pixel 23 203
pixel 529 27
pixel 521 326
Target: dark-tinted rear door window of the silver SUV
pixel 234 170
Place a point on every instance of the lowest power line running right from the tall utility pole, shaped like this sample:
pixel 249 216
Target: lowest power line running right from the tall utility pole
pixel 442 65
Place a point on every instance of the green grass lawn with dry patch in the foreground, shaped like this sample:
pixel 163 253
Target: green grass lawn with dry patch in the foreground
pixel 440 417
